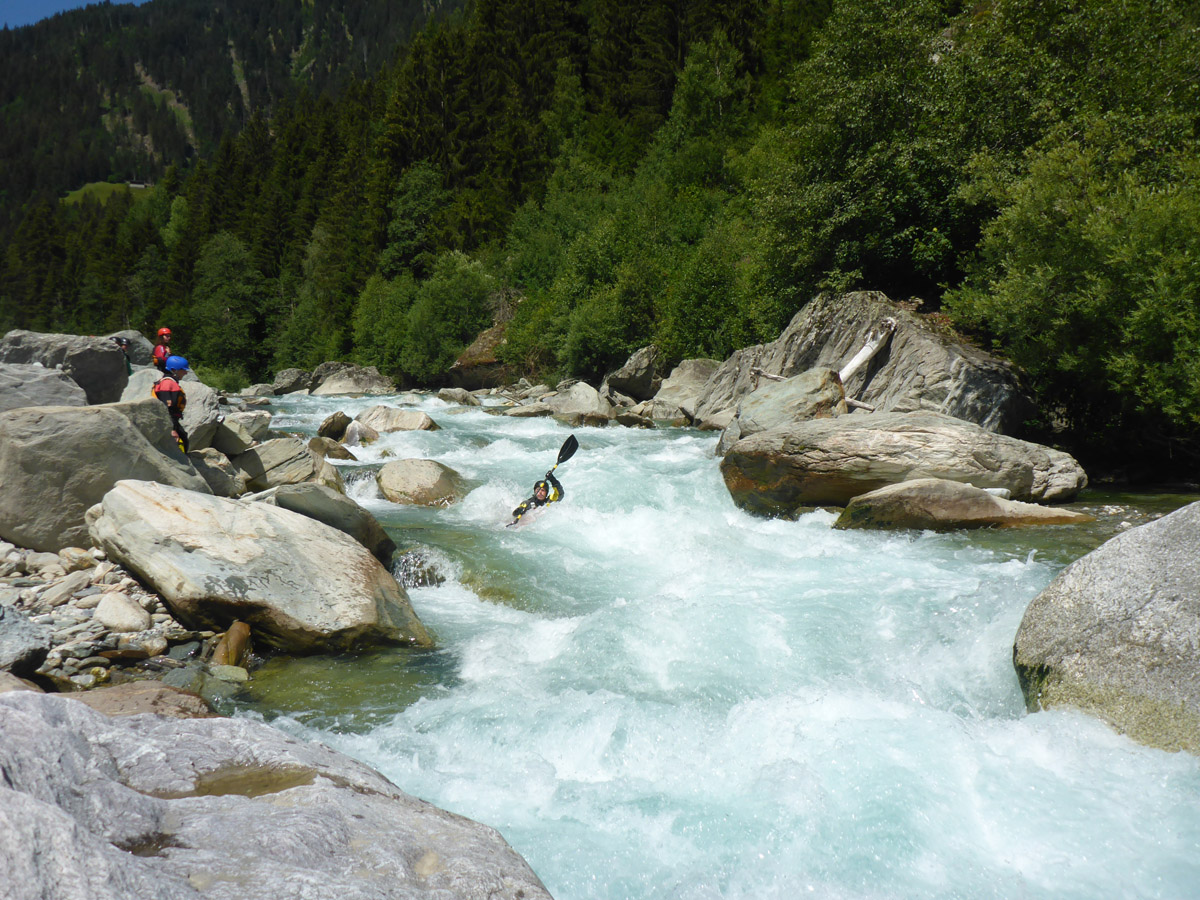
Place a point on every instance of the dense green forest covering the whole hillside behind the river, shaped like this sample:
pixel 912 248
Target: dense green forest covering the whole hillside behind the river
pixel 380 183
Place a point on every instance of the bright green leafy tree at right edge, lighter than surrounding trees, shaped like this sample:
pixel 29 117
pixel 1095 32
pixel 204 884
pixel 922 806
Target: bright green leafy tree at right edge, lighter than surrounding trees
pixel 1090 280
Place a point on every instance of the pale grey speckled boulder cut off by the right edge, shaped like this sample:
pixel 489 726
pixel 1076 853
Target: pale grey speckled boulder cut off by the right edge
pixel 1118 634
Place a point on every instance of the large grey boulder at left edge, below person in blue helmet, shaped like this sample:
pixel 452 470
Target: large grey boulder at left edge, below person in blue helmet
pixel 58 461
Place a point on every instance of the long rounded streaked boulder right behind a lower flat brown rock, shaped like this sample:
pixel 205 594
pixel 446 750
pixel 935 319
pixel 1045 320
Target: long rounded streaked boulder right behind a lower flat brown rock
pixel 831 461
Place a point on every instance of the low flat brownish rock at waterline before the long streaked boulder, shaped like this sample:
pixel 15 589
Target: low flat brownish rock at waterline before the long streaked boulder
pixel 939 506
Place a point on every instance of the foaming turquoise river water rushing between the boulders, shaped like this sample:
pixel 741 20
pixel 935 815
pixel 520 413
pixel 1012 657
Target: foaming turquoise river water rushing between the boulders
pixel 655 695
